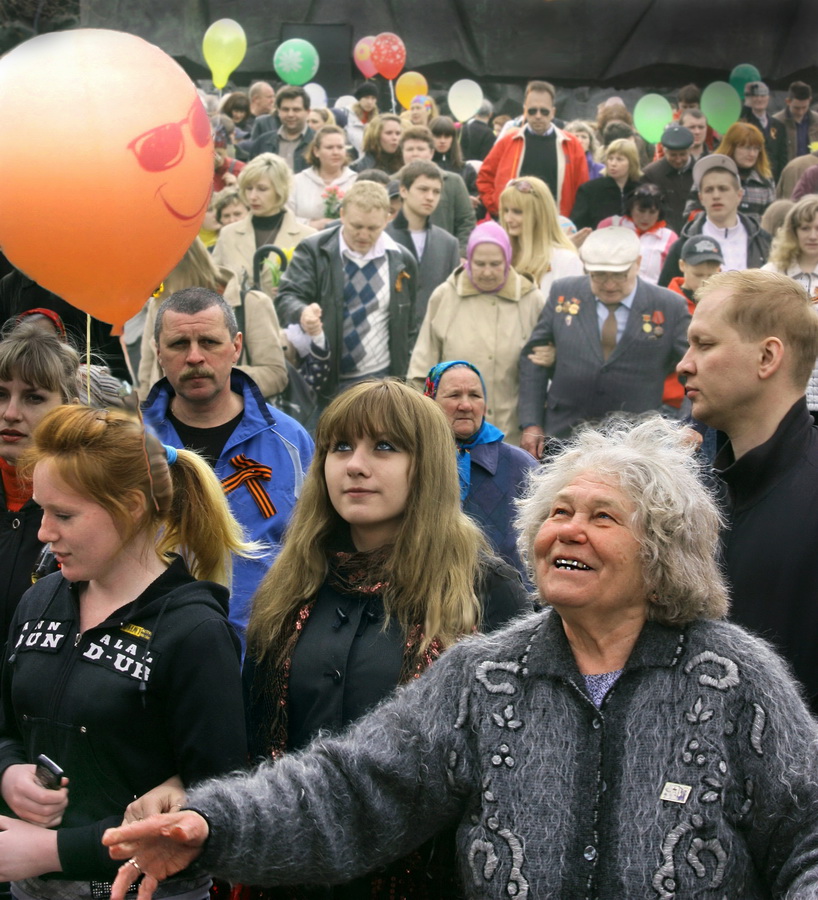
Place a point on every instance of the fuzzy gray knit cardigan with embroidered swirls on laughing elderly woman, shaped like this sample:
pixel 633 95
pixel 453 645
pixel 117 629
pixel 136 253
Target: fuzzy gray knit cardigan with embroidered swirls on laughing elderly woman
pixel 697 778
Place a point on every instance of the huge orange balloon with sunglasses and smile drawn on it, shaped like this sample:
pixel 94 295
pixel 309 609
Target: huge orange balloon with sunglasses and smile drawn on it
pixel 111 184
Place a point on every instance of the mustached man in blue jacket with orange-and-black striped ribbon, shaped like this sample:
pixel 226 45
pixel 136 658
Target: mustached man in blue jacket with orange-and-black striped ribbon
pixel 206 404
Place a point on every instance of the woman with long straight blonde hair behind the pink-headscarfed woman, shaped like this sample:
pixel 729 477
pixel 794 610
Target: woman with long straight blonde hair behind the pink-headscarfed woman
pixel 540 247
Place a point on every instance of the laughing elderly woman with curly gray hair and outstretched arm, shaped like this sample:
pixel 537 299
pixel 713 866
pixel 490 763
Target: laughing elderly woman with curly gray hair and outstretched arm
pixel 625 742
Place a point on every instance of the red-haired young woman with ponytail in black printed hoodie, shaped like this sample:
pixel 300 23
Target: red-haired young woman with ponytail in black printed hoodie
pixel 122 628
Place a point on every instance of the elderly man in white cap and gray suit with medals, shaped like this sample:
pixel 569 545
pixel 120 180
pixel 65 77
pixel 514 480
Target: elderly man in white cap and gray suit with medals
pixel 615 336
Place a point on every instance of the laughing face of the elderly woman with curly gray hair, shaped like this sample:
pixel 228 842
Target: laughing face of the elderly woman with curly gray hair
pixel 586 553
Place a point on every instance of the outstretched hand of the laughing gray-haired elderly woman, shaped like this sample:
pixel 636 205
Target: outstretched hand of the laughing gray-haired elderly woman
pixel 161 846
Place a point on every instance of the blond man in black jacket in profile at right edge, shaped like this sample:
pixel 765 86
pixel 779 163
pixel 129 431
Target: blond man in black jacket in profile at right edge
pixel 753 345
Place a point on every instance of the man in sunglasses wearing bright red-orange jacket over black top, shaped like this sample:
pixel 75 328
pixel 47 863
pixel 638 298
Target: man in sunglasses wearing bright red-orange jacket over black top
pixel 539 149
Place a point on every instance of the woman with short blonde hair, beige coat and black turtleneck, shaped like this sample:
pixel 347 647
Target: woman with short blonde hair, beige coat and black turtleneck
pixel 265 184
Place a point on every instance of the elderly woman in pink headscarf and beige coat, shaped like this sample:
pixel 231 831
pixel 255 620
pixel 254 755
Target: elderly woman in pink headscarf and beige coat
pixel 484 312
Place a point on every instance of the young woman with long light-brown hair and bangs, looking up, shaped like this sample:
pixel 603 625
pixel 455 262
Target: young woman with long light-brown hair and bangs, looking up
pixel 380 571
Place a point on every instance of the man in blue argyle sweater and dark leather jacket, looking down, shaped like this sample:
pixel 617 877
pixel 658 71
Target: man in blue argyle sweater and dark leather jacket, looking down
pixel 362 283
